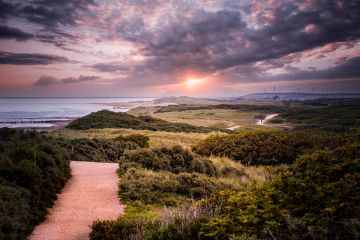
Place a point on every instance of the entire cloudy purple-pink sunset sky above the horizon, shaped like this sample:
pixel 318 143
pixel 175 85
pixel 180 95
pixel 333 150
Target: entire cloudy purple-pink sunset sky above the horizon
pixel 154 48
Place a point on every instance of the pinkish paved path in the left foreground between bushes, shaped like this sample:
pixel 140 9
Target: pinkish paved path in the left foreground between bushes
pixel 90 194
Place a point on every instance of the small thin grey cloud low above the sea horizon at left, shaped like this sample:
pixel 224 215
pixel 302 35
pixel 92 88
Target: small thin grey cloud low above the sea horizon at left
pixel 46 81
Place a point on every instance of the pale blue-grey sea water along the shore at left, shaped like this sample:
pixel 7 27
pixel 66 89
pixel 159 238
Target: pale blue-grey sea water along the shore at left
pixel 46 112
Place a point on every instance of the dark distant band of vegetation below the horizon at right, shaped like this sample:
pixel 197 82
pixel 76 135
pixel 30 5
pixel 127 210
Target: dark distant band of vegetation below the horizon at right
pixel 336 115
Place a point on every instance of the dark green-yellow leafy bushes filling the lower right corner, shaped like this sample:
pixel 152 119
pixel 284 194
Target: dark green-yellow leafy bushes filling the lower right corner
pixel 317 198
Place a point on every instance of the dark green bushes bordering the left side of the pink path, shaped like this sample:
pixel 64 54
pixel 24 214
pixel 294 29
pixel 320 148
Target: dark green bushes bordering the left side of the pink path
pixel 33 169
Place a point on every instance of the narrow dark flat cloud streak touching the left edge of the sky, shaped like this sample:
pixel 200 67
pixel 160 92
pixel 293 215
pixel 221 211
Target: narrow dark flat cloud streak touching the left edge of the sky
pixel 30 58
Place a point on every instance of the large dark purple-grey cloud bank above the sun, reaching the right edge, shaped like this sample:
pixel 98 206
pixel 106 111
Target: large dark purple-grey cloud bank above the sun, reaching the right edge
pixel 212 41
